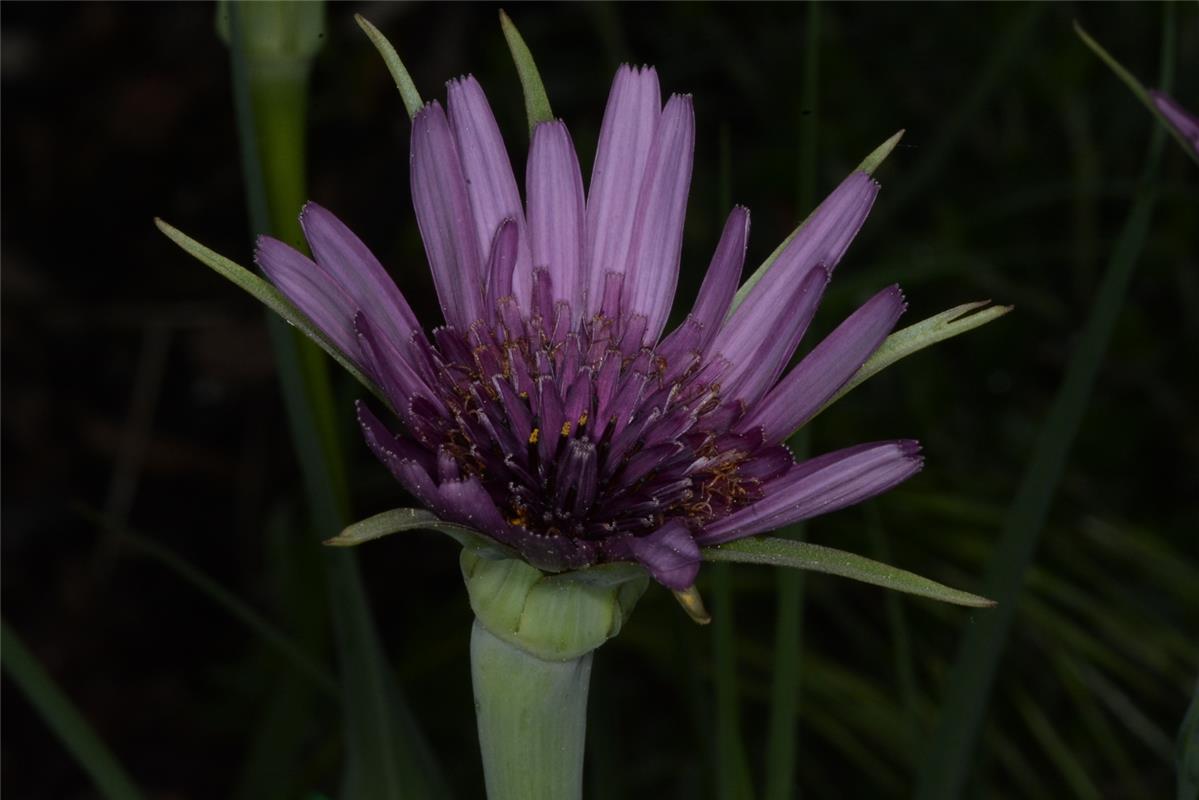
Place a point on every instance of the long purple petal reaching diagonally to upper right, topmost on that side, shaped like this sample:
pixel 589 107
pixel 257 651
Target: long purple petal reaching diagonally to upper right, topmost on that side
pixel 822 240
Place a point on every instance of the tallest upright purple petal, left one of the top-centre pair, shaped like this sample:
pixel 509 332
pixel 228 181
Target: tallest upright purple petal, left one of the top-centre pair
pixel 626 137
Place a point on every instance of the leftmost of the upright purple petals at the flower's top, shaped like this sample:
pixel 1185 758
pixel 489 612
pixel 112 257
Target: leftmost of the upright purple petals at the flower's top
pixel 445 218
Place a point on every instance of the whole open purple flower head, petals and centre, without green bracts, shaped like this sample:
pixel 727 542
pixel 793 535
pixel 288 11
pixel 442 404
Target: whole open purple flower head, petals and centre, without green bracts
pixel 551 413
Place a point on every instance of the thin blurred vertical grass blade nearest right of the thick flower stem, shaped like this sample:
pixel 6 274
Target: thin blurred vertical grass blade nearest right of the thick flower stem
pixel 732 766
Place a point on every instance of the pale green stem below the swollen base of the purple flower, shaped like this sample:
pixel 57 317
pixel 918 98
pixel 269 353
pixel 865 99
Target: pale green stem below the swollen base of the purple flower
pixel 532 719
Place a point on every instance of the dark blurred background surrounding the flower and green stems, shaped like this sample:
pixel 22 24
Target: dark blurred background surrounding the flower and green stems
pixel 141 387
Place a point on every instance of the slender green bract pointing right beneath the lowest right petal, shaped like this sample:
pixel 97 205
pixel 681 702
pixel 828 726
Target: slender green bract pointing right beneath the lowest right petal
pixel 805 556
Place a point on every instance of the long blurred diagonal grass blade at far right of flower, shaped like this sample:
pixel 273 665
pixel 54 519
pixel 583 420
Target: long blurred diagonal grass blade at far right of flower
pixel 950 754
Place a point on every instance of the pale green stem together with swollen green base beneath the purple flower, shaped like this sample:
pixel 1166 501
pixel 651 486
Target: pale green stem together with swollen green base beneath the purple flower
pixel 531 657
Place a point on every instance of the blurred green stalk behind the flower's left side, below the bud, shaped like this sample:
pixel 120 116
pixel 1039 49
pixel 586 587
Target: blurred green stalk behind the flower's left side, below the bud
pixel 387 755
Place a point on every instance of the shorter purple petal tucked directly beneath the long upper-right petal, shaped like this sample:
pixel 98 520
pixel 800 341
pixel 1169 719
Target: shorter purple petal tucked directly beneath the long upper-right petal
pixel 761 354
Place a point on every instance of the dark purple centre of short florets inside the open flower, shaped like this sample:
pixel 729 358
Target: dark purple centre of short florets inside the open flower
pixel 582 431
